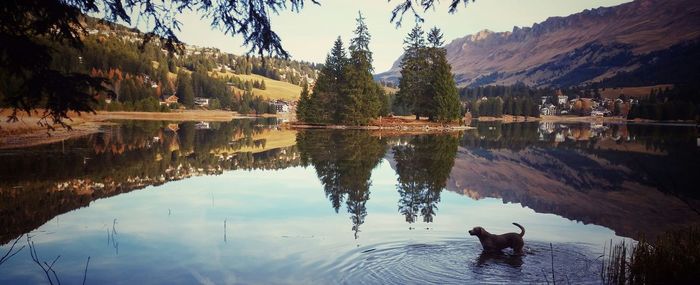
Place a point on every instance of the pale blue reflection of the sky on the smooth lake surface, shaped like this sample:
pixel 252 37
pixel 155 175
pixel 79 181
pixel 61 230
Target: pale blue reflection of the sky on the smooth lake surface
pixel 280 228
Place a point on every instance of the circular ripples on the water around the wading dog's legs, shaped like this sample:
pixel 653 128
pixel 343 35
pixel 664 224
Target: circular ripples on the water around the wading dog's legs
pixel 459 261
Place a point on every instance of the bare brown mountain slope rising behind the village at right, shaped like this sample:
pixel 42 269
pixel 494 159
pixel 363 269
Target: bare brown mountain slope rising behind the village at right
pixel 611 44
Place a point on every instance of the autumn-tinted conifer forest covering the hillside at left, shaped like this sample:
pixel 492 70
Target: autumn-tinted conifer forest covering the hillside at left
pixel 138 75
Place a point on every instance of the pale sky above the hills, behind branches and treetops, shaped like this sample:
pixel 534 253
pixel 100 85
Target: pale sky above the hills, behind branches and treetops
pixel 309 35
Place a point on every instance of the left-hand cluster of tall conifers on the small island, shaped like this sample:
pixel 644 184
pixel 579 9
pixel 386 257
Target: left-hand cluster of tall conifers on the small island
pixel 345 92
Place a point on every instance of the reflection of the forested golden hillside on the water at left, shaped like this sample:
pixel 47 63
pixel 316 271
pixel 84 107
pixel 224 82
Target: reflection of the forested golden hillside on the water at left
pixel 39 183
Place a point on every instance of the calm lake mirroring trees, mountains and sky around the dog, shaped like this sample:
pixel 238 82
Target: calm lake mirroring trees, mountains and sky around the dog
pixel 248 201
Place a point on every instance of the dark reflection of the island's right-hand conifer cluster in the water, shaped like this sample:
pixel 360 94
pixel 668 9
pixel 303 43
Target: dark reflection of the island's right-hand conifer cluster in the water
pixel 423 166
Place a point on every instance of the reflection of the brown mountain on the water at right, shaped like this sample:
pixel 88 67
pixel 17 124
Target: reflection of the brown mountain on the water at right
pixel 592 181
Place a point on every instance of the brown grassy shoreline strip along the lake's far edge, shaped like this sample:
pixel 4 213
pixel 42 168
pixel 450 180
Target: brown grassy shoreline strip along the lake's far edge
pixel 26 132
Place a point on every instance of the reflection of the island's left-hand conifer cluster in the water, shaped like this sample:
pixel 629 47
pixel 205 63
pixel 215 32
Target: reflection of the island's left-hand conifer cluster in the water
pixel 343 161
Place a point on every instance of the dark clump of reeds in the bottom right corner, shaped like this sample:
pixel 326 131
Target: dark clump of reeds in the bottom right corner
pixel 672 258
